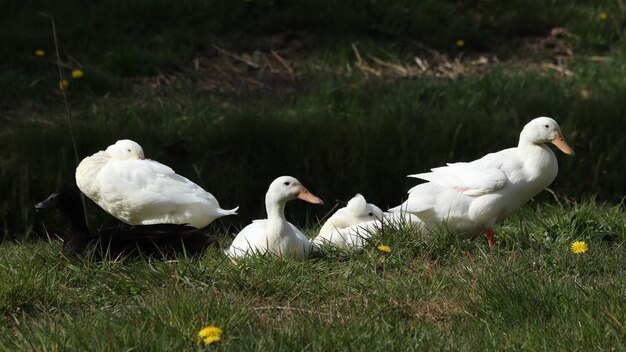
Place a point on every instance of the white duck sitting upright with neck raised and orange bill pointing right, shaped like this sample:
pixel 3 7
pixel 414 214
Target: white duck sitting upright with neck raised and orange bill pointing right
pixel 275 235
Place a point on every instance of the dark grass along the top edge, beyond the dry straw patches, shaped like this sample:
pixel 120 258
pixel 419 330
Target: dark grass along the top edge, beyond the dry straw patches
pixel 142 37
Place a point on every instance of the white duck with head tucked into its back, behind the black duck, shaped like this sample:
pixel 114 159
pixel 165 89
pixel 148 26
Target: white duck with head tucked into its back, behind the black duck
pixel 139 191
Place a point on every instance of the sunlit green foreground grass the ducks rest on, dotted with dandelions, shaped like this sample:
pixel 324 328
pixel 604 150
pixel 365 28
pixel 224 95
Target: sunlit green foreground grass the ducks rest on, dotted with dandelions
pixel 438 292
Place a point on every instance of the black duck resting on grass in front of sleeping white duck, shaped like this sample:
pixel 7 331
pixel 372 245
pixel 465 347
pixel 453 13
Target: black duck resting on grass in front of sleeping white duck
pixel 158 240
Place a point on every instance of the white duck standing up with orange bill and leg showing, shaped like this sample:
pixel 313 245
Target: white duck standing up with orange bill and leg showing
pixel 473 196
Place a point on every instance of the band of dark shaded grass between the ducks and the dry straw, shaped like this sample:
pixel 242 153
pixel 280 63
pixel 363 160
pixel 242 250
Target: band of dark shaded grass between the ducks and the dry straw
pixel 339 136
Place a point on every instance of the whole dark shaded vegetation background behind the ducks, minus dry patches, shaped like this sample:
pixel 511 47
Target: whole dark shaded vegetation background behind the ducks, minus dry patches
pixel 338 131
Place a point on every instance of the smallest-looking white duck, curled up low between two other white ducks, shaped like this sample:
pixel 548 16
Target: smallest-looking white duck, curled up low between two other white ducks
pixel 352 225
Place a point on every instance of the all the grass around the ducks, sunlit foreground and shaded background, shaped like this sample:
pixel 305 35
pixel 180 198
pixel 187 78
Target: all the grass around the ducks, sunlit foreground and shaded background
pixel 348 96
